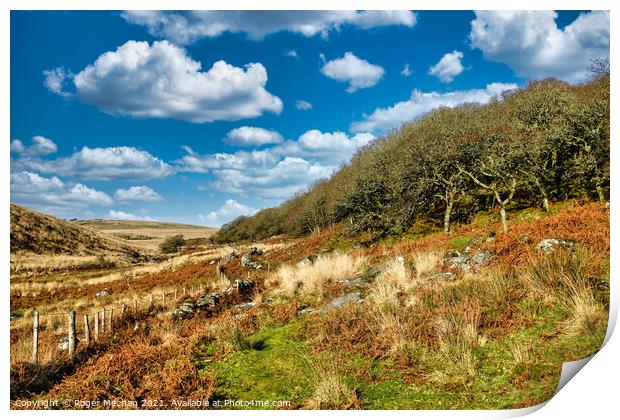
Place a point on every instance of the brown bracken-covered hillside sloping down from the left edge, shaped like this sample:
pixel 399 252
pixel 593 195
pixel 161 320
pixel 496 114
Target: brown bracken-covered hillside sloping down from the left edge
pixel 40 233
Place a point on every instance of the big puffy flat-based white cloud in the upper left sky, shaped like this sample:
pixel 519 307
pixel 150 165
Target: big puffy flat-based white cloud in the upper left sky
pixel 162 81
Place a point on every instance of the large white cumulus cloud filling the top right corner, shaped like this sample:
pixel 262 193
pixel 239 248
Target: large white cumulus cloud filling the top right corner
pixel 533 45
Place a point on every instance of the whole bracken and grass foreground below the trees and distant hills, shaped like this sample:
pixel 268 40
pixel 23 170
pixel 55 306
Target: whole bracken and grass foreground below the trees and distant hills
pixel 476 319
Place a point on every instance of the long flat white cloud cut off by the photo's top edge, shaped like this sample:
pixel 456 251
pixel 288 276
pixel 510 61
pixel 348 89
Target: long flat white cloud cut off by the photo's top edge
pixel 185 27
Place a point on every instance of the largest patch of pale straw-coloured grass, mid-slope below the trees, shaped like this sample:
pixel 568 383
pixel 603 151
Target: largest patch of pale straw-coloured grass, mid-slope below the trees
pixel 312 278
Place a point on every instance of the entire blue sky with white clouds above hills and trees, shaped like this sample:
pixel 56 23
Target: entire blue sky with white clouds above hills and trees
pixel 199 117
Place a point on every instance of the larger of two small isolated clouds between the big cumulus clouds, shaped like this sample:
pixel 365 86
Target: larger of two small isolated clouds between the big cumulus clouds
pixel 358 73
